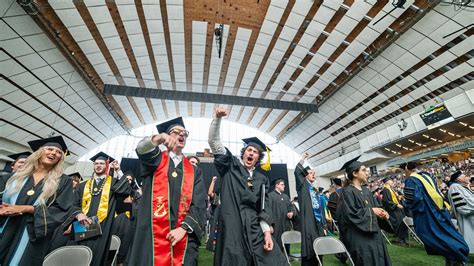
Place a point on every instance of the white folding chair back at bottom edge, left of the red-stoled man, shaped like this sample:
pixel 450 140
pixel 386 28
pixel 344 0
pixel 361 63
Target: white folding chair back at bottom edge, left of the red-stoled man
pixel 69 255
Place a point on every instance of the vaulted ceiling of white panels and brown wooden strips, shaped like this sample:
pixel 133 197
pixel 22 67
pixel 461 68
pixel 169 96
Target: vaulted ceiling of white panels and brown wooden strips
pixel 361 76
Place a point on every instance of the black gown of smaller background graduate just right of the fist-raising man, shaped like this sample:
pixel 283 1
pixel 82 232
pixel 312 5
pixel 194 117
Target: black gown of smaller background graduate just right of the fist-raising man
pixel 280 206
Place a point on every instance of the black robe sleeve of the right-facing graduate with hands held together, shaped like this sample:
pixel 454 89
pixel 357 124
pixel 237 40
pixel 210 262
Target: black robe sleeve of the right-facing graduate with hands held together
pixel 356 214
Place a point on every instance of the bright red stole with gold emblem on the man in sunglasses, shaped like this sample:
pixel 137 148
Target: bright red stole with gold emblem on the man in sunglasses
pixel 164 253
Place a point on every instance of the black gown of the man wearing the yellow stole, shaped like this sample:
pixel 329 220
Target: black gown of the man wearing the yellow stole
pixel 100 244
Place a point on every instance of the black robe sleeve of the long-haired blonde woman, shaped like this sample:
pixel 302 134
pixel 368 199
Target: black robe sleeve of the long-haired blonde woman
pixel 46 218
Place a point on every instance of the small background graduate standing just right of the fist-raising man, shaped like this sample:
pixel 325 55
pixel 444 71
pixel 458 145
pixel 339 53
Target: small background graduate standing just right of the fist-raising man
pixel 282 211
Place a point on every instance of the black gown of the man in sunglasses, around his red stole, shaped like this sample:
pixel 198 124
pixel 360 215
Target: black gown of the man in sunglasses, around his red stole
pixel 141 252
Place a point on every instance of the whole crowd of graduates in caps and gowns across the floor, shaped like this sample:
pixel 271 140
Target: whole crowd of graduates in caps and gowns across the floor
pixel 162 221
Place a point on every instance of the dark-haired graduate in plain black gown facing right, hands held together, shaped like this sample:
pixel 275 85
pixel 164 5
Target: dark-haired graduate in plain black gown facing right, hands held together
pixel 360 212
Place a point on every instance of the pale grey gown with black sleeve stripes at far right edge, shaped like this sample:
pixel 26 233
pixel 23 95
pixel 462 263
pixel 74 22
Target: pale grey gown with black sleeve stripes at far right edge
pixel 462 200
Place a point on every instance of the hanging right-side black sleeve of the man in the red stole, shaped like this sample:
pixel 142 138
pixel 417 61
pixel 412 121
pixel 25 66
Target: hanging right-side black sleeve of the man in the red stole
pixel 196 217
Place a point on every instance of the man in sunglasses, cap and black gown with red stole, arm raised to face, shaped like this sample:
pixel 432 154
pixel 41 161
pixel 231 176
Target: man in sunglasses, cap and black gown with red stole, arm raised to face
pixel 172 213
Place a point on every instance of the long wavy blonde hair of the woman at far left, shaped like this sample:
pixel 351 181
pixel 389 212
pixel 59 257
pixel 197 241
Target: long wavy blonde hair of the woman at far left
pixel 51 180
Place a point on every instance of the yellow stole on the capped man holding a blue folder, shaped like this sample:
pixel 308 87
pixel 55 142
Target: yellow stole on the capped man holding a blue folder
pixel 104 198
